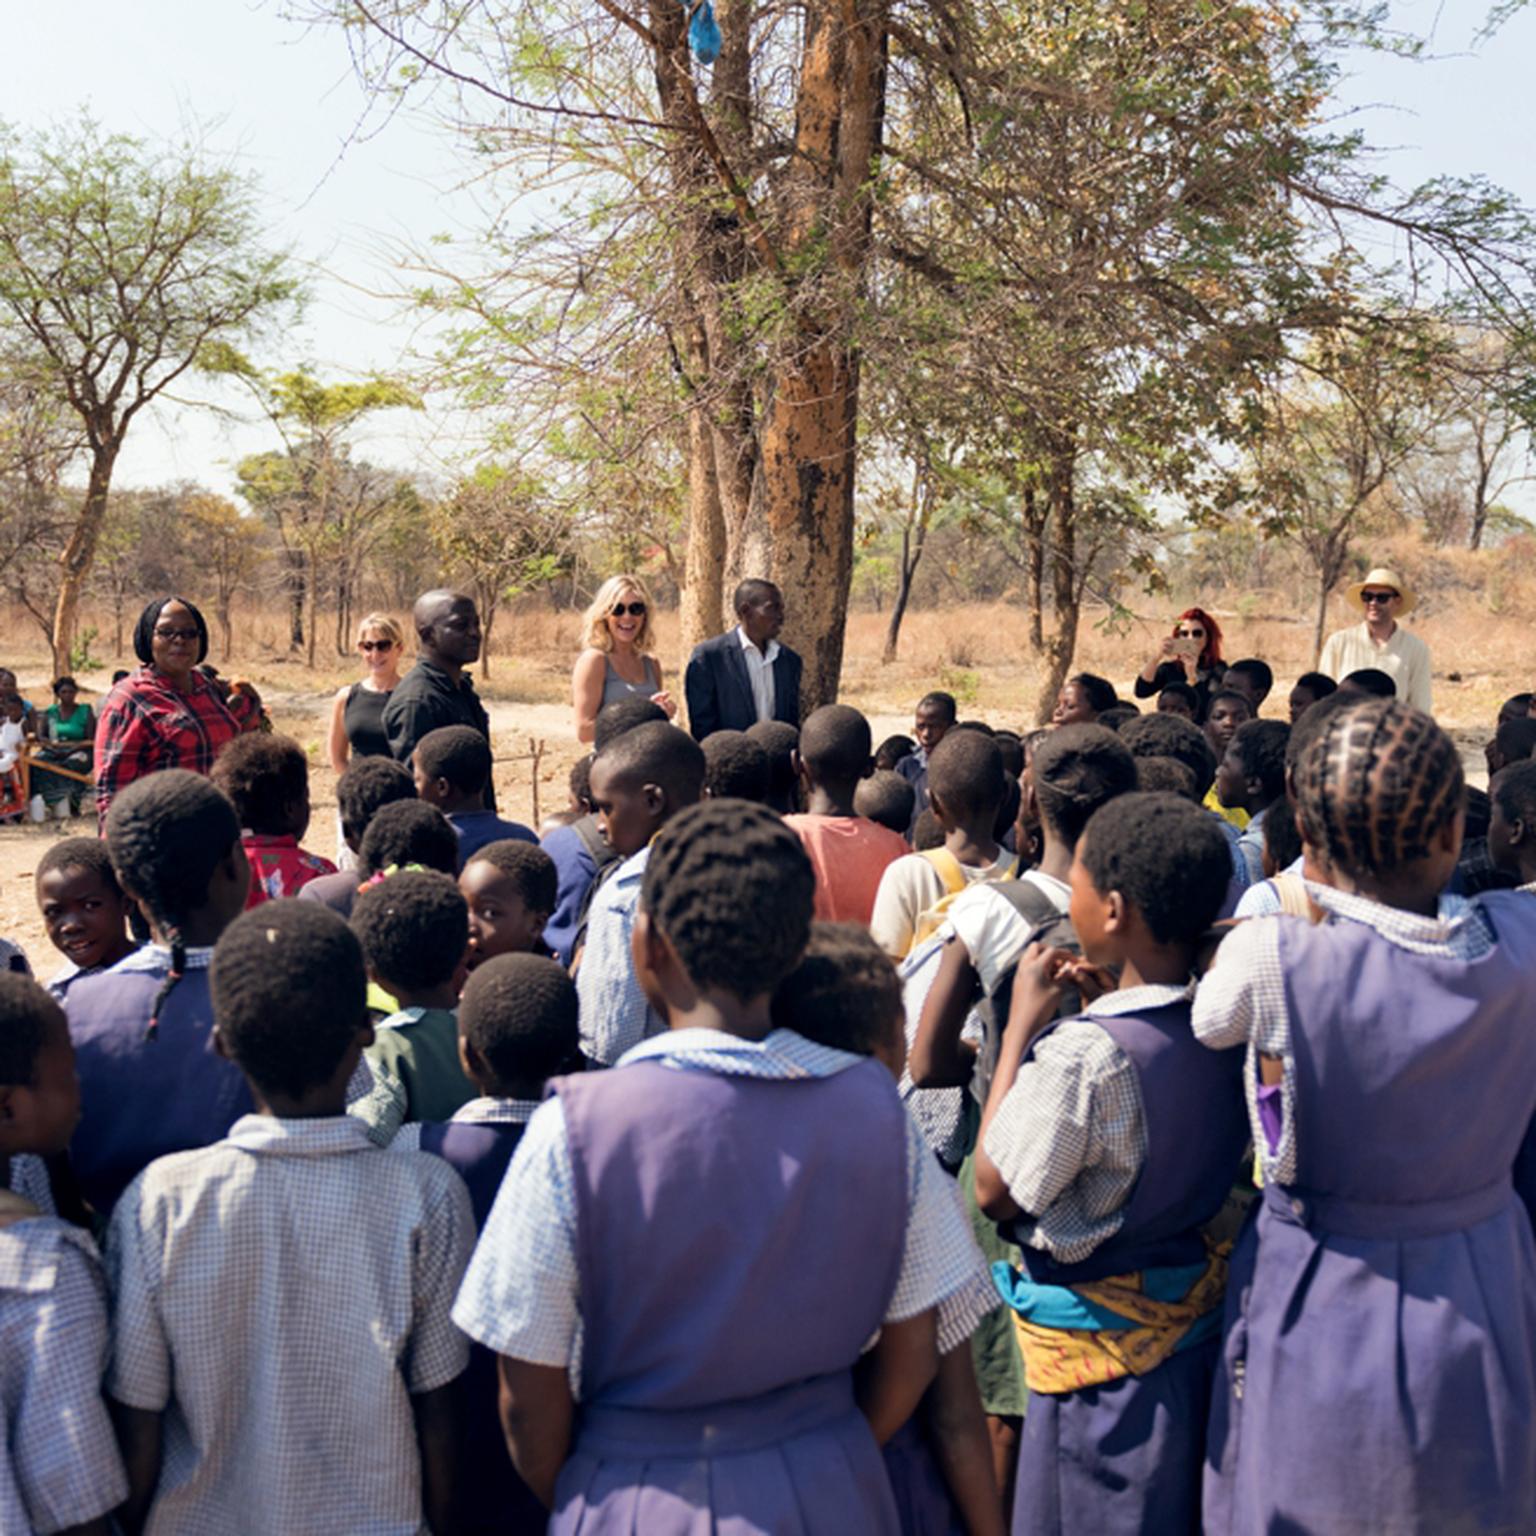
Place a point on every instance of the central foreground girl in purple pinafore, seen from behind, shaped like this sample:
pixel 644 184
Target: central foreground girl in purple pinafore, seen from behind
pixel 658 1216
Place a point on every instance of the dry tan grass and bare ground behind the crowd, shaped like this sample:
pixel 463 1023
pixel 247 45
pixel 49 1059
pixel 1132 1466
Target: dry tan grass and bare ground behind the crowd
pixel 1481 647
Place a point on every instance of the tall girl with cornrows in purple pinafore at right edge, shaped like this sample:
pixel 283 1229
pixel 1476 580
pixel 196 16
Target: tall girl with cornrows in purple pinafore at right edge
pixel 1380 1359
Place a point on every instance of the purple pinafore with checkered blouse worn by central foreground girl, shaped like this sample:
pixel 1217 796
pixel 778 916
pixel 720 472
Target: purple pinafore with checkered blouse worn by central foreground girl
pixel 717 1230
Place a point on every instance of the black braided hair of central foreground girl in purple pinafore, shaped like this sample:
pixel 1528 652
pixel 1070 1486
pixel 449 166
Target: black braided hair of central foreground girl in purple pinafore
pixel 732 890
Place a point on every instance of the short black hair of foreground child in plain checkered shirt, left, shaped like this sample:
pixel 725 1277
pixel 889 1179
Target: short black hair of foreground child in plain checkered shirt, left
pixel 290 995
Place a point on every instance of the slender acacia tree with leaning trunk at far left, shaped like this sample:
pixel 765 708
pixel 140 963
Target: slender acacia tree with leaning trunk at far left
pixel 119 265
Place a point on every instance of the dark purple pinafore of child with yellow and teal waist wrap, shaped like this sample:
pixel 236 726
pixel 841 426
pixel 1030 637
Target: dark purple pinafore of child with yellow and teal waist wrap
pixel 1125 1458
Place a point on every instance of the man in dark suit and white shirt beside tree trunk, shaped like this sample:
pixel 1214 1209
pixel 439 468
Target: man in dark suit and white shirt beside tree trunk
pixel 746 675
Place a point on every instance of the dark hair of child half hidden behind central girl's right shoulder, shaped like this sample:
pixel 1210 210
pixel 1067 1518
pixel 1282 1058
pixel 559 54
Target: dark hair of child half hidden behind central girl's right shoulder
pixel 844 993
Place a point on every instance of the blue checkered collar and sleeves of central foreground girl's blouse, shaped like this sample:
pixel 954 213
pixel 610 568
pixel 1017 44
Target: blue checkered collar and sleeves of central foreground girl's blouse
pixel 521 1294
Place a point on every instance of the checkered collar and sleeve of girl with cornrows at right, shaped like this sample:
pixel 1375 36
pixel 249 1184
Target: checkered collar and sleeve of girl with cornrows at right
pixel 1242 999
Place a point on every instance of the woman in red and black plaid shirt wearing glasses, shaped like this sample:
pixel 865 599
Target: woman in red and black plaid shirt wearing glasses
pixel 165 715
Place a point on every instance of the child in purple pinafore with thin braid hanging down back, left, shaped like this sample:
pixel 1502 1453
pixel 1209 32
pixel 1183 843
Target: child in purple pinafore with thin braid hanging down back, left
pixel 150 1081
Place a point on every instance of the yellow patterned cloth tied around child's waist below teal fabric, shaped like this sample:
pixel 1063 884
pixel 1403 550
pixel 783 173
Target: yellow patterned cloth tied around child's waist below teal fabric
pixel 1068 1360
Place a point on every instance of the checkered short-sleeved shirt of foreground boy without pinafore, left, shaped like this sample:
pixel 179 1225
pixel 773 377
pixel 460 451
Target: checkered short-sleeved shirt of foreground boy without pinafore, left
pixel 283 1294
